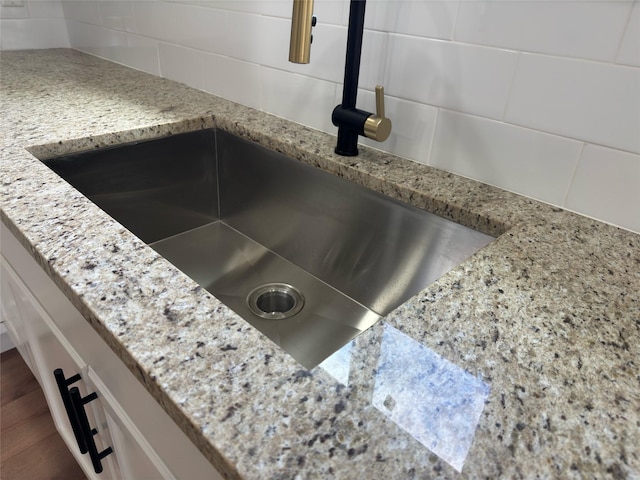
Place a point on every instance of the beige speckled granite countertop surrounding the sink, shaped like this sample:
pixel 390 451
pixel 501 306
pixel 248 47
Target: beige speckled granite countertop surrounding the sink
pixel 522 362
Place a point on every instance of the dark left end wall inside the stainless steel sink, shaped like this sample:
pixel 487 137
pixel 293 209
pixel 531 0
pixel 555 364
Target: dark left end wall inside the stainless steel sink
pixel 156 189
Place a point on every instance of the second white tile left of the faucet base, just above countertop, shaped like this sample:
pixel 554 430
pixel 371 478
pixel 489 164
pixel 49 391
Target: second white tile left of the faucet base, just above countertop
pixel 232 79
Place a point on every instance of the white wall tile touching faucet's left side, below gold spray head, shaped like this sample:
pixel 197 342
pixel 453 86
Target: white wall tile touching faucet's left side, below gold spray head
pixel 305 100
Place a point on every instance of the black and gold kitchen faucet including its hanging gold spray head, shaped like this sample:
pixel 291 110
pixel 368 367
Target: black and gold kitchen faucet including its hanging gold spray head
pixel 351 121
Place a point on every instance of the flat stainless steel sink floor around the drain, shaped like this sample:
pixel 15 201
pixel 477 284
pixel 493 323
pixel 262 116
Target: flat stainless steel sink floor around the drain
pixel 231 266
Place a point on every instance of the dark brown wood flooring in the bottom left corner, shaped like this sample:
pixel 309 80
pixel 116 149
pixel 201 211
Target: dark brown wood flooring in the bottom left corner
pixel 30 447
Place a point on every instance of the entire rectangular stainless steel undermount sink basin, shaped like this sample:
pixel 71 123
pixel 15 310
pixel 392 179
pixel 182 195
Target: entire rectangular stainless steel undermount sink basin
pixel 308 258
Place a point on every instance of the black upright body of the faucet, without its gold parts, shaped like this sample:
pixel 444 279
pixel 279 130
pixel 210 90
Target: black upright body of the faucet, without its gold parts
pixel 350 120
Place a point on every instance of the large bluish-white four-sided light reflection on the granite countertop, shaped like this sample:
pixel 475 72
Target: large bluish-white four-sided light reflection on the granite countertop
pixel 435 401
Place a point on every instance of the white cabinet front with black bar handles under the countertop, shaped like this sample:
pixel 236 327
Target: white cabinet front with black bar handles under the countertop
pixel 137 438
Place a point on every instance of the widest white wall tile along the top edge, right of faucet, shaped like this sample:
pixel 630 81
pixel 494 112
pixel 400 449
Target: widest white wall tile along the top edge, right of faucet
pixel 586 29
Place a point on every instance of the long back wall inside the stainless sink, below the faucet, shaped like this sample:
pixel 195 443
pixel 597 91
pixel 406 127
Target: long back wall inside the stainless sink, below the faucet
pixel 376 250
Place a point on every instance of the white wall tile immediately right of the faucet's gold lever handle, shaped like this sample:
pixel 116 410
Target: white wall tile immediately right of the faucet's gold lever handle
pixel 451 75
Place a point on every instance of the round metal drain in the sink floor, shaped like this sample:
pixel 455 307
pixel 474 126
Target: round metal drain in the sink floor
pixel 275 301
